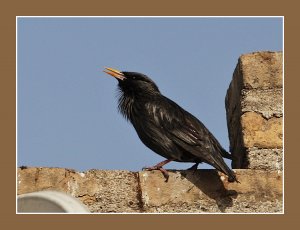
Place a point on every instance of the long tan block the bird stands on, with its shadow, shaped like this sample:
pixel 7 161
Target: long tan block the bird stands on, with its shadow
pixel 209 191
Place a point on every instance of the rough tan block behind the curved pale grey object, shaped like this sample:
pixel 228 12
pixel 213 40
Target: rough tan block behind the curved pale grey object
pixel 100 190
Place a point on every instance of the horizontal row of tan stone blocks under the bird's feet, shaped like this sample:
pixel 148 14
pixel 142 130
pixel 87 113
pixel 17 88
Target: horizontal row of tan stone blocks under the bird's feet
pixel 147 192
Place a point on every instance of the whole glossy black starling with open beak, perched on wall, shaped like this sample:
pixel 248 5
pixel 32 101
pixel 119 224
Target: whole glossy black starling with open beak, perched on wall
pixel 165 127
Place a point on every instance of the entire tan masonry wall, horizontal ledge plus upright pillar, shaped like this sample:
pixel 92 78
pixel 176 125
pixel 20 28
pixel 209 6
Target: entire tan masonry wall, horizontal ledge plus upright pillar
pixel 254 117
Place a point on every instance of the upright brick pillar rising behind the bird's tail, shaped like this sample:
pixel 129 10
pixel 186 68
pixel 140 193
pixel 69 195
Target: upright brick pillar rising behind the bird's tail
pixel 254 109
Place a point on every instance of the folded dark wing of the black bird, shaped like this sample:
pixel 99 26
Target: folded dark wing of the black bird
pixel 188 132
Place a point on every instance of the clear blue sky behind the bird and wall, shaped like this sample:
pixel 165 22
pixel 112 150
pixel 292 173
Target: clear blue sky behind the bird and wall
pixel 67 107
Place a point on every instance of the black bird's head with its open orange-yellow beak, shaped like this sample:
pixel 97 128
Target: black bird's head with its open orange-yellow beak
pixel 133 83
